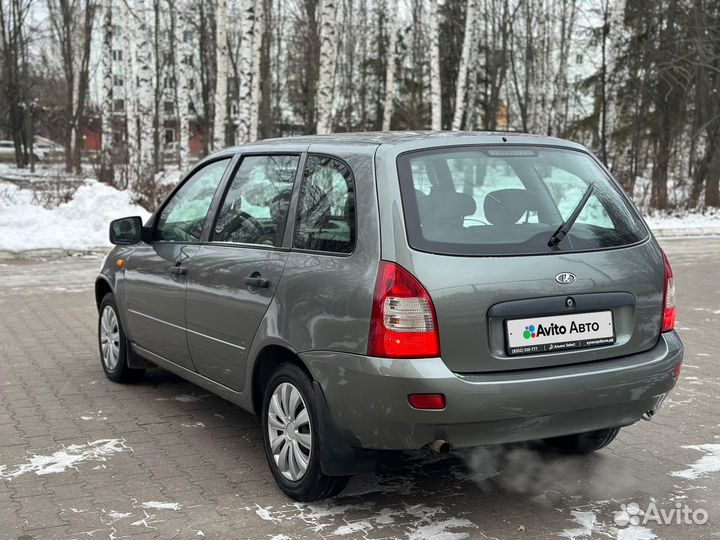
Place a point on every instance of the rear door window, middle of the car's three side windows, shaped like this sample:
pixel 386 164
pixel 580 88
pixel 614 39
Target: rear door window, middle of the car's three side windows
pixel 255 206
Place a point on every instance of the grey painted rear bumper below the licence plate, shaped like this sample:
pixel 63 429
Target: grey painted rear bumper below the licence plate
pixel 367 397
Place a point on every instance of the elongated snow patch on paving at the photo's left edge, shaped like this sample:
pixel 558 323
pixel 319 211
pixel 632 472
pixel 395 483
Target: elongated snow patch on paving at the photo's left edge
pixel 67 458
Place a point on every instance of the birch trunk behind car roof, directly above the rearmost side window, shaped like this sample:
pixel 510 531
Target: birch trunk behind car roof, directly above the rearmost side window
pixel 327 67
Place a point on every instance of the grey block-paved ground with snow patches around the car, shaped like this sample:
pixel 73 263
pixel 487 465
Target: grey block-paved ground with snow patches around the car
pixel 82 457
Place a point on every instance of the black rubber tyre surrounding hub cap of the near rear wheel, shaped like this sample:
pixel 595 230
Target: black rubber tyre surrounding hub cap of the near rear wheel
pixel 313 485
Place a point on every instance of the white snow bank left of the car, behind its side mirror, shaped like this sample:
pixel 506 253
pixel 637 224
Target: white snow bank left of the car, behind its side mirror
pixel 80 224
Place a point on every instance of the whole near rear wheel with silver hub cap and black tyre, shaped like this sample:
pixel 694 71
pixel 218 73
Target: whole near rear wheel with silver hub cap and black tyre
pixel 292 437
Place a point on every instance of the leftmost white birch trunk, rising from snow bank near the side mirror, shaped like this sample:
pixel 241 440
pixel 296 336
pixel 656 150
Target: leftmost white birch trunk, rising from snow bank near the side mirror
pixel 106 165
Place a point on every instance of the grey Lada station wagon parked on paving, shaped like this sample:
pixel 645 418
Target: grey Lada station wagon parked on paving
pixel 396 291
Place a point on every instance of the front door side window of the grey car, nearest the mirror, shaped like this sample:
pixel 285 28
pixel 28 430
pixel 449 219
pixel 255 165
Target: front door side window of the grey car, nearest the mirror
pixel 183 217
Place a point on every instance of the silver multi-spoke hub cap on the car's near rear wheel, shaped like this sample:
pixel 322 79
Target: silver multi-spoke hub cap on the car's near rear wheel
pixel 289 431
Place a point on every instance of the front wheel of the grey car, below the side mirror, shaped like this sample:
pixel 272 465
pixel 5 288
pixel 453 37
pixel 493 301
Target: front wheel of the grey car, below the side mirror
pixel 113 345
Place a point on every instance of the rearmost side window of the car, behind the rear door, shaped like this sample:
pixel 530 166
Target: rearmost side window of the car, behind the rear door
pixel 326 209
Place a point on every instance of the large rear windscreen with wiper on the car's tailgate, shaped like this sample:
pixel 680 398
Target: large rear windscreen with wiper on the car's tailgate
pixel 509 200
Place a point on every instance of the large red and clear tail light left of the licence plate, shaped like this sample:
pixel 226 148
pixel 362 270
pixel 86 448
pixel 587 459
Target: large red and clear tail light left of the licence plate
pixel 403 321
